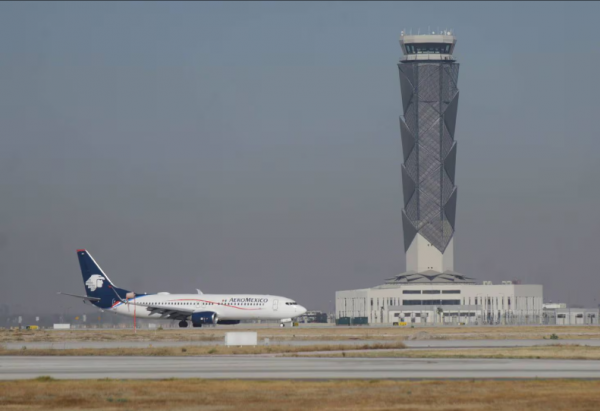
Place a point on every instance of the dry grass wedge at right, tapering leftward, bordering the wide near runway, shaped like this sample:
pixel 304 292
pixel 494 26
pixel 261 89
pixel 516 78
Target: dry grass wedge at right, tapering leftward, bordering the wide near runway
pixel 564 352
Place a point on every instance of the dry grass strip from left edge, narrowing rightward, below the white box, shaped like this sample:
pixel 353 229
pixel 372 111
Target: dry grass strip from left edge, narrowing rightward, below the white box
pixel 194 350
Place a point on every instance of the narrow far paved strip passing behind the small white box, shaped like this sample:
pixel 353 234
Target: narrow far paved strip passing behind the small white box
pixel 416 344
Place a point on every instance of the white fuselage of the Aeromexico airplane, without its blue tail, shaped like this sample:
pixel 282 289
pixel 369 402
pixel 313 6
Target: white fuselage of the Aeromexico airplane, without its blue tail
pixel 227 306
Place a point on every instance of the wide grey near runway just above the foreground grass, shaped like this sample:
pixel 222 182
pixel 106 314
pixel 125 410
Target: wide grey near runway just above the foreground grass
pixel 263 367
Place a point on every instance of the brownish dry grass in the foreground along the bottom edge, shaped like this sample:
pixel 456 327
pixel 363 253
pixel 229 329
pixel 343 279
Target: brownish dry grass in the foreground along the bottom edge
pixel 109 395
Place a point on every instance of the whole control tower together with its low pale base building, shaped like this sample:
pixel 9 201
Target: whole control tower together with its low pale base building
pixel 430 291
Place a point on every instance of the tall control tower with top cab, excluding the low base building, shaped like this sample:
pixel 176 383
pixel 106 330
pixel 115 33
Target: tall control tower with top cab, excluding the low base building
pixel 428 81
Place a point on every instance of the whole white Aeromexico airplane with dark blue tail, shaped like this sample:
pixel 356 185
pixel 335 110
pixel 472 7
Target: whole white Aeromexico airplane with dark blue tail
pixel 198 309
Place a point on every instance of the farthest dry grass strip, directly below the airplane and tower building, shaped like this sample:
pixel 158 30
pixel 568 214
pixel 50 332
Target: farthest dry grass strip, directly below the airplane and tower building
pixel 307 333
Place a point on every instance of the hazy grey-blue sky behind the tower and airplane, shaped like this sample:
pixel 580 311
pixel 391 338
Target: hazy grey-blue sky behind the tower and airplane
pixel 255 147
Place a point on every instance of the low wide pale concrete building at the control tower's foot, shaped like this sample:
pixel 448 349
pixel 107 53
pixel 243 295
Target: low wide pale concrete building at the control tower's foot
pixel 435 303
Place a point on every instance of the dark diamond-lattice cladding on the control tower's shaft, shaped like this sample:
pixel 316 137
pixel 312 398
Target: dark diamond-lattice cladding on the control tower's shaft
pixel 430 102
